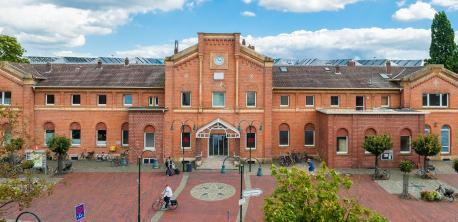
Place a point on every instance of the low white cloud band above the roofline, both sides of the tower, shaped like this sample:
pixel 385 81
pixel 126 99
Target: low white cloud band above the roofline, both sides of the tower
pixel 407 43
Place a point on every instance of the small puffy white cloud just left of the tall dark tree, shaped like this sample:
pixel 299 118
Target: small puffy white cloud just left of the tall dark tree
pixel 417 11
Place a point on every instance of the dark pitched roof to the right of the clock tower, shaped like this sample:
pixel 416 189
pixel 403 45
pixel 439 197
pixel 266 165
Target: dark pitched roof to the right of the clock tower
pixel 326 77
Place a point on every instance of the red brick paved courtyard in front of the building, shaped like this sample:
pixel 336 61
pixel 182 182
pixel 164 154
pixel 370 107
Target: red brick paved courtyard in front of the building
pixel 209 196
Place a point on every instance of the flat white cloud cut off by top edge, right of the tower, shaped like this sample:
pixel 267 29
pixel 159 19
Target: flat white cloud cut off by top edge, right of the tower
pixel 305 6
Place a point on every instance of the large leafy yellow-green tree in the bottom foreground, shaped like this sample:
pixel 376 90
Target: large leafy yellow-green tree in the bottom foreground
pixel 299 196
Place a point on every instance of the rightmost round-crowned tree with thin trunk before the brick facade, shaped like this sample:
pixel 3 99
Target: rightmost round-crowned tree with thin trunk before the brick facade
pixel 426 146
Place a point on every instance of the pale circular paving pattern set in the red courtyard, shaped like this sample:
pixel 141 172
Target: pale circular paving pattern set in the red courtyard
pixel 212 191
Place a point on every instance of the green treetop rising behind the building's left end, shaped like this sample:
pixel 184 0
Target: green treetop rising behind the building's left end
pixel 11 50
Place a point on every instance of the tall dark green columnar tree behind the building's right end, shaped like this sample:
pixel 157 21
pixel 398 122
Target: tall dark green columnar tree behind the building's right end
pixel 443 48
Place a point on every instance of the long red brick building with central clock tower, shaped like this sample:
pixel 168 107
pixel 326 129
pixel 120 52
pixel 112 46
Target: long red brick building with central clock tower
pixel 220 98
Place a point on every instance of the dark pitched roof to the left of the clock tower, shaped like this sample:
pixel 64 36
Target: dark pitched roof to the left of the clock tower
pixel 88 75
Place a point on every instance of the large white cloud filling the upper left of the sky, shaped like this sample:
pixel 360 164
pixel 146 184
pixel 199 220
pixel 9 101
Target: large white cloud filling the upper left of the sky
pixel 57 24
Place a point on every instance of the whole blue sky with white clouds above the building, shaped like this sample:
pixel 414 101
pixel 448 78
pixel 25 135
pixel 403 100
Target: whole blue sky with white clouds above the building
pixel 325 29
